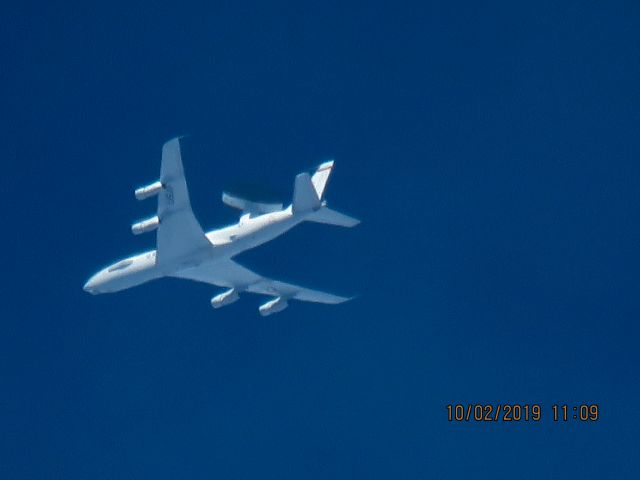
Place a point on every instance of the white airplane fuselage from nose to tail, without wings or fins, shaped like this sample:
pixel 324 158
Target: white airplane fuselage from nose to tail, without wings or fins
pixel 226 243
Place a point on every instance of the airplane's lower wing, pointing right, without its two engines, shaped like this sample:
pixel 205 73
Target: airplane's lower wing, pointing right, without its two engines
pixel 229 274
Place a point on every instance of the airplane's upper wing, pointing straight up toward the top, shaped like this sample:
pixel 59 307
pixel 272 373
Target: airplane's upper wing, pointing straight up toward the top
pixel 179 232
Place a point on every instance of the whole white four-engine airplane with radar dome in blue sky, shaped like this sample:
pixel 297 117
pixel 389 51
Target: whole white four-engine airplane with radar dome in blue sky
pixel 184 250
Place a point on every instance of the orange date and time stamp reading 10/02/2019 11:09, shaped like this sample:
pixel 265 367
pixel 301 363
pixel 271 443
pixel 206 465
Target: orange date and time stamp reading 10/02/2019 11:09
pixel 521 412
